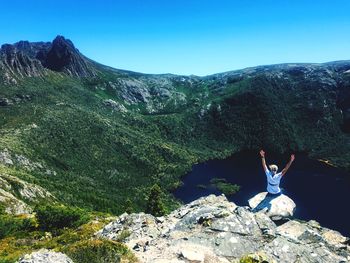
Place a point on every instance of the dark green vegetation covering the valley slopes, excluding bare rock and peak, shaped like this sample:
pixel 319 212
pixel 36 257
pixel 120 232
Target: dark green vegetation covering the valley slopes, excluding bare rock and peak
pixel 102 157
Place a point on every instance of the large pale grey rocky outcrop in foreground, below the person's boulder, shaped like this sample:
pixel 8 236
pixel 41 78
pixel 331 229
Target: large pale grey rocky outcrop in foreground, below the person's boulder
pixel 212 229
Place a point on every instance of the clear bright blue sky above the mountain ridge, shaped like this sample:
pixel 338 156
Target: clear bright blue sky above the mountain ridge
pixel 186 37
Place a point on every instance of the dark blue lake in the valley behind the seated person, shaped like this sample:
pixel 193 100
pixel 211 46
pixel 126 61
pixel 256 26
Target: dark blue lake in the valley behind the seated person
pixel 321 192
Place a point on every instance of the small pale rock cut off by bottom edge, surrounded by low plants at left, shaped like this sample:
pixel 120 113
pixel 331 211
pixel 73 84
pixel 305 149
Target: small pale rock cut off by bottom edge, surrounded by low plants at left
pixel 45 256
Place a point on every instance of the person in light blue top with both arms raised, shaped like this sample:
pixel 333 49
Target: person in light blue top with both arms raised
pixel 274 178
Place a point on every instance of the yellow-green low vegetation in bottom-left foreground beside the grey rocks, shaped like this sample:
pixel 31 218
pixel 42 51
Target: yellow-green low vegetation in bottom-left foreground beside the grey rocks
pixel 78 243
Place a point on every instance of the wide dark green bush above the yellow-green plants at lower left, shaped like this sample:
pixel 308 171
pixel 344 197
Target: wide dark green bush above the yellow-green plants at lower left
pixel 55 217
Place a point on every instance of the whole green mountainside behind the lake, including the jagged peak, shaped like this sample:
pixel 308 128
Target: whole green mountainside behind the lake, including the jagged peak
pixel 111 134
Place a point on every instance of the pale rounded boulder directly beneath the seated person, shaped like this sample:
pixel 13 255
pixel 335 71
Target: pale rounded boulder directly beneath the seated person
pixel 276 207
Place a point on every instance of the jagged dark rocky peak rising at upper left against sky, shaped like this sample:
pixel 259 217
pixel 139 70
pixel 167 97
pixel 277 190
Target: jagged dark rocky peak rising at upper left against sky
pixel 26 59
